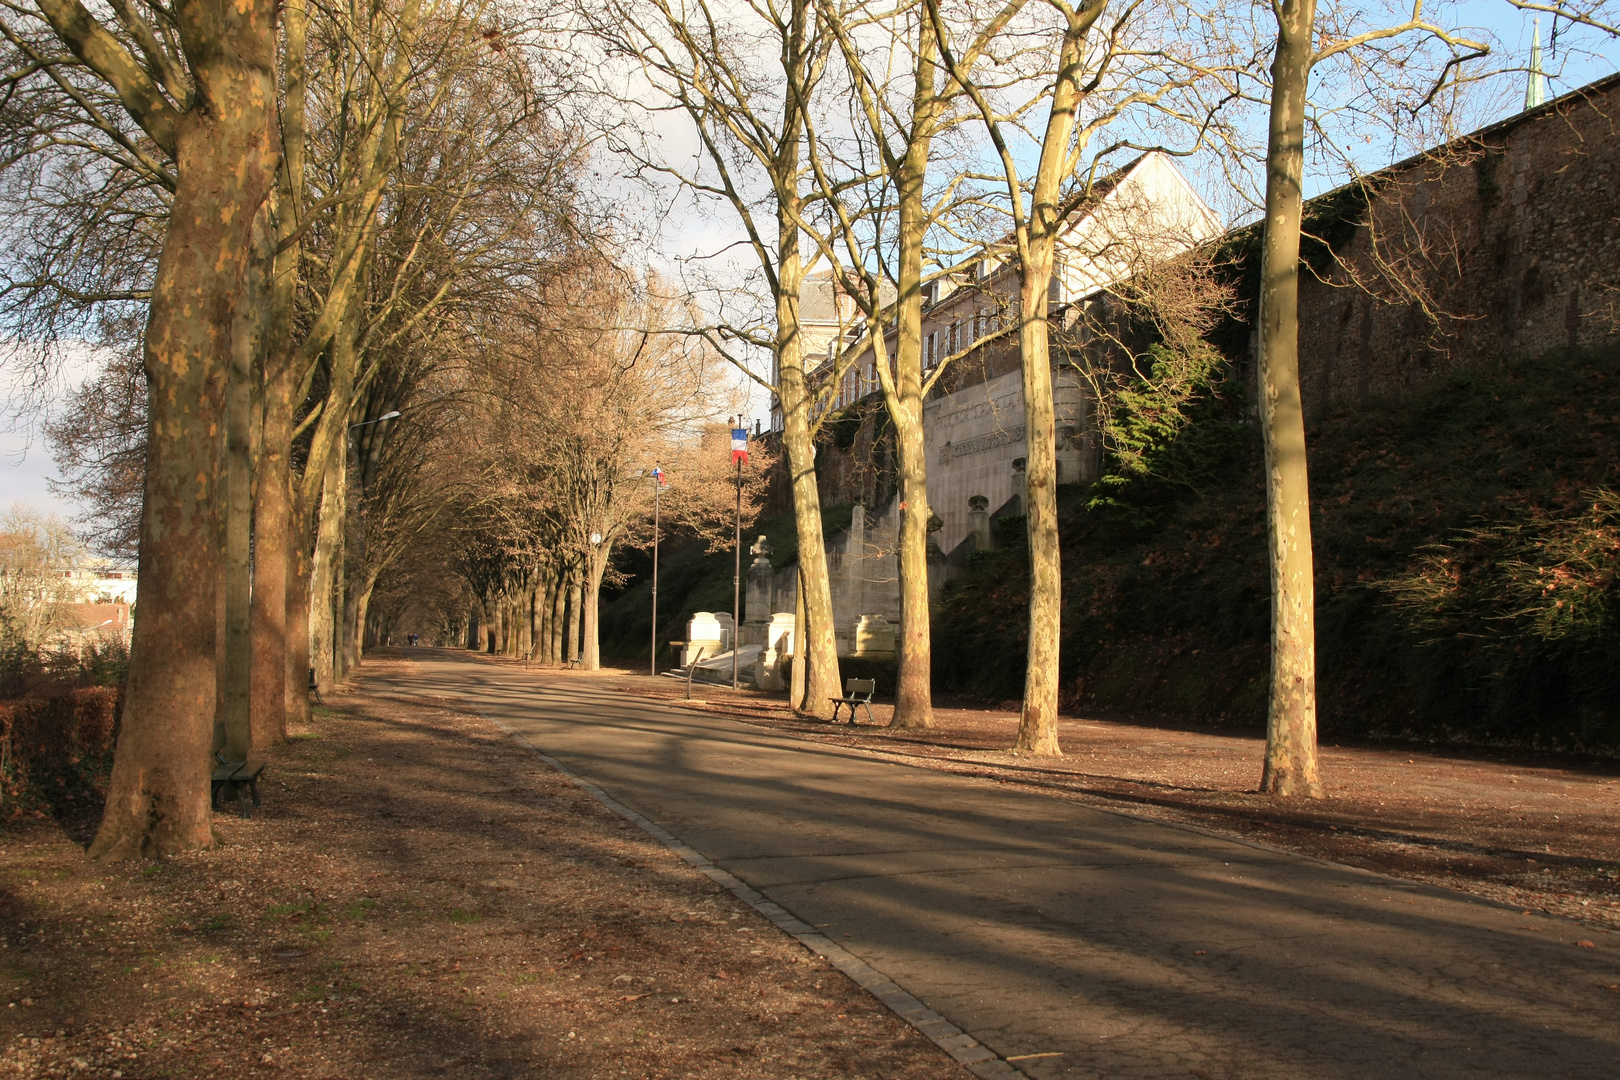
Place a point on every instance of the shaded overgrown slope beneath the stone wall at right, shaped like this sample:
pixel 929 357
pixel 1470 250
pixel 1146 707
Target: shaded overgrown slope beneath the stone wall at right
pixel 1467 542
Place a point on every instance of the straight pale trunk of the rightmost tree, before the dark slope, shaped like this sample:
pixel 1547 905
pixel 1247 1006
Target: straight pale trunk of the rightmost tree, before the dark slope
pixel 1290 721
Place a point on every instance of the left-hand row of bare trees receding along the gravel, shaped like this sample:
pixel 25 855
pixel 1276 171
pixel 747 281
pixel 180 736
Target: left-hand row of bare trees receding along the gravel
pixel 304 219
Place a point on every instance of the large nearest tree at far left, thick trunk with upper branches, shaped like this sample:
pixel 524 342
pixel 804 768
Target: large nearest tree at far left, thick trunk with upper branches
pixel 200 85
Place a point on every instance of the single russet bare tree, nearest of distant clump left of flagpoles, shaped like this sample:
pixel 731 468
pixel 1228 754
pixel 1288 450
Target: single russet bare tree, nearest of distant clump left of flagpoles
pixel 594 404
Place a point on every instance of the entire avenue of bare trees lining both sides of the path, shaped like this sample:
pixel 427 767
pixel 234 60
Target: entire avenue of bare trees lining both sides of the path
pixel 344 239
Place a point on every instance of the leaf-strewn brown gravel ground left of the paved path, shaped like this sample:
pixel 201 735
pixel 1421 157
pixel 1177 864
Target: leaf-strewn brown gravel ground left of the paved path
pixel 417 898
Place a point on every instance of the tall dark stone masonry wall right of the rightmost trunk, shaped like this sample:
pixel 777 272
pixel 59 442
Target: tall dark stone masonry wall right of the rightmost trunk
pixel 1503 244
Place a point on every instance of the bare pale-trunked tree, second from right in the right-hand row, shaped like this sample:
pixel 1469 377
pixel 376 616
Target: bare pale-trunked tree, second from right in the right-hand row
pixel 1119 67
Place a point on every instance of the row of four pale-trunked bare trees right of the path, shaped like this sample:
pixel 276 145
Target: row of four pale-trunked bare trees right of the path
pixel 897 142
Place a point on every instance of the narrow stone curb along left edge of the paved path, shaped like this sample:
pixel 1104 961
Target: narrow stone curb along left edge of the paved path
pixel 953 1040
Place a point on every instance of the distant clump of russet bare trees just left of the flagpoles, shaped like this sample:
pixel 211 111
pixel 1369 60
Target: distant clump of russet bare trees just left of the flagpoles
pixel 590 389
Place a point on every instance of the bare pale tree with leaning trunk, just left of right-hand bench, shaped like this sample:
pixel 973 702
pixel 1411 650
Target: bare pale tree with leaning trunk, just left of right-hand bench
pixel 752 132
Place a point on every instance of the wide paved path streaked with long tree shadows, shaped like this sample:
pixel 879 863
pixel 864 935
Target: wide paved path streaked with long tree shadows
pixel 1122 948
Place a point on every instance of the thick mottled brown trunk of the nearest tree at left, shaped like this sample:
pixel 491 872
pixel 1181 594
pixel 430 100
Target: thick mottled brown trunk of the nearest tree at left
pixel 226 158
